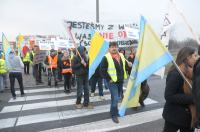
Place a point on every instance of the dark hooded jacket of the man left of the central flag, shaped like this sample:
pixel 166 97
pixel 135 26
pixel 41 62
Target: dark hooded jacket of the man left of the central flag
pixel 78 68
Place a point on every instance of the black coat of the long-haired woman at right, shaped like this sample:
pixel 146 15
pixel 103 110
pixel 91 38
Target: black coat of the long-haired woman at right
pixel 176 108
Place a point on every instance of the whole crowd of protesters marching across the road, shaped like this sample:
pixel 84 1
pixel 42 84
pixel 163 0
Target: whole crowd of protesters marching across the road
pixel 71 66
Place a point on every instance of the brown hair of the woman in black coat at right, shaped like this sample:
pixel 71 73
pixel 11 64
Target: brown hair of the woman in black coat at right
pixel 182 55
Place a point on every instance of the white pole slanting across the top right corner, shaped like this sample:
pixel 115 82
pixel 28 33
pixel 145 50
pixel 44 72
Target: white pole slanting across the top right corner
pixel 186 22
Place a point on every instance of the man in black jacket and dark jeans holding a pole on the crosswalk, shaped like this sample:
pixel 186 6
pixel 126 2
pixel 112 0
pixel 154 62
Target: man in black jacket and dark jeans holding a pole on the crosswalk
pixel 80 68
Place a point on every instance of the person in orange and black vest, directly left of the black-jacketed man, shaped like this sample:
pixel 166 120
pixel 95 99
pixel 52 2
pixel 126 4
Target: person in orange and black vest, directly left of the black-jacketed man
pixel 66 71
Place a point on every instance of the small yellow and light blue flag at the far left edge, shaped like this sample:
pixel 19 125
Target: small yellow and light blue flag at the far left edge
pixel 6 48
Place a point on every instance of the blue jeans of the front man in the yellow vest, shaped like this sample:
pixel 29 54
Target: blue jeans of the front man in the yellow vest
pixel 114 91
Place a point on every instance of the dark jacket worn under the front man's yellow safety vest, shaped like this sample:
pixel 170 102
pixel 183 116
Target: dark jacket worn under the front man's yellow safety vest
pixel 118 66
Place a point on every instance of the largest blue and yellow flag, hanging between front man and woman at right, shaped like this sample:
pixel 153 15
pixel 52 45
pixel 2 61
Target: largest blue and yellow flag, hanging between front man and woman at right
pixel 151 55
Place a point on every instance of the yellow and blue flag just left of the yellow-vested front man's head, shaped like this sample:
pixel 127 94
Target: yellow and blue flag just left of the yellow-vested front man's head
pixel 98 48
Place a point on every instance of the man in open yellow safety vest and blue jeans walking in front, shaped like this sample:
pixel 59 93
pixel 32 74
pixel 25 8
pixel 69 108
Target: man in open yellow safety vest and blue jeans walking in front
pixel 113 70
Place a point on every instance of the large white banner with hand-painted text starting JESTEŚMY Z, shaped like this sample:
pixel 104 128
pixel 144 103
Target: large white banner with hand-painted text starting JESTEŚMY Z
pixel 110 32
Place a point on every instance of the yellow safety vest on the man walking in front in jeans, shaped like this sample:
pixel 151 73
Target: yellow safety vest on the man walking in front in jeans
pixel 111 67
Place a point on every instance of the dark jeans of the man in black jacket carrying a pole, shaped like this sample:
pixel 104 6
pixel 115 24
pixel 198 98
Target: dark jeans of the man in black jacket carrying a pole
pixel 82 85
